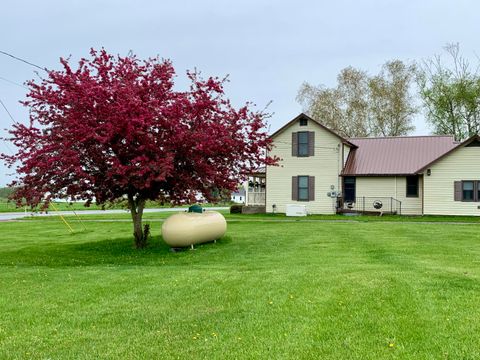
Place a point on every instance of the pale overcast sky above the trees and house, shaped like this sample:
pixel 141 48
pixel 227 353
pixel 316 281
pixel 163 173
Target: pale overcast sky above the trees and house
pixel 268 47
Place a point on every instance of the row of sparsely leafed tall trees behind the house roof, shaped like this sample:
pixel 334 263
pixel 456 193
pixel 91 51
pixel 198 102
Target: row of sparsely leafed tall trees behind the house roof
pixel 446 88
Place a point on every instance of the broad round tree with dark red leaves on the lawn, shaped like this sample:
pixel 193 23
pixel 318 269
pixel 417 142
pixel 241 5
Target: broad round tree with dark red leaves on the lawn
pixel 115 128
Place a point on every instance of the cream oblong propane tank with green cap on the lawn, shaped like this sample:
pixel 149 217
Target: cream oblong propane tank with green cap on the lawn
pixel 186 229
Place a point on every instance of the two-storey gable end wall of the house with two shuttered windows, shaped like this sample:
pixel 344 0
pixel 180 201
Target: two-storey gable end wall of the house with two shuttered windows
pixel 322 167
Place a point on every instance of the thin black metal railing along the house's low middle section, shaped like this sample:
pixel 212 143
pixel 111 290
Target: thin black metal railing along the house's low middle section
pixel 378 204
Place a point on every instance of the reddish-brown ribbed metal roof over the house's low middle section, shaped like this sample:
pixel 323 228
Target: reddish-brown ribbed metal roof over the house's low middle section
pixel 395 155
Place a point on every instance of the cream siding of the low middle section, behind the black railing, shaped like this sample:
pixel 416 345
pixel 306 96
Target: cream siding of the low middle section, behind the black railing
pixel 390 186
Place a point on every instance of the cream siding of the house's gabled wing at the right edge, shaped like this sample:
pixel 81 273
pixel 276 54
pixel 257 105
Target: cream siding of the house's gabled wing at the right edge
pixel 462 164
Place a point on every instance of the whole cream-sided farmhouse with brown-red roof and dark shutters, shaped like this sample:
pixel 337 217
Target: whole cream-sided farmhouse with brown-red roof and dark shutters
pixel 327 173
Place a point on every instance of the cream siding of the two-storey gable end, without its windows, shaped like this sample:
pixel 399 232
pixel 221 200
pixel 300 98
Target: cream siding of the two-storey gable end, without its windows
pixel 325 166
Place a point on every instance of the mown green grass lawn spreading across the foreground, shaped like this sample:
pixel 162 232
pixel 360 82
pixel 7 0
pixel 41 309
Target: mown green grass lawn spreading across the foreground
pixel 267 290
